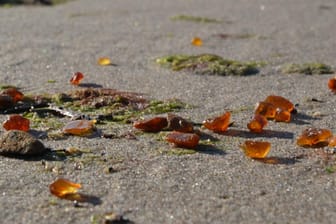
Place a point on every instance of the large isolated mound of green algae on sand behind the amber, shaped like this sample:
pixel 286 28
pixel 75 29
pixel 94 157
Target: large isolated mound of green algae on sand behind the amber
pixel 209 64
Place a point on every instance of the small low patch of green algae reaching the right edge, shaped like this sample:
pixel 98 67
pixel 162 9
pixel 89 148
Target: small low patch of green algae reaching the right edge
pixel 313 68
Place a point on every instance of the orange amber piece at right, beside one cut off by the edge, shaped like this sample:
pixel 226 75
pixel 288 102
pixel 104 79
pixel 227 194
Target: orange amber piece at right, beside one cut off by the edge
pixel 313 137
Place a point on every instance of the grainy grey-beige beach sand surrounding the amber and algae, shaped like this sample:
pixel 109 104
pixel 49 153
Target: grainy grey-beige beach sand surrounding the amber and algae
pixel 216 185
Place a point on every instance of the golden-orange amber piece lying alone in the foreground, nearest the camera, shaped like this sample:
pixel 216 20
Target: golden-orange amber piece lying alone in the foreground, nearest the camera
pixel 62 187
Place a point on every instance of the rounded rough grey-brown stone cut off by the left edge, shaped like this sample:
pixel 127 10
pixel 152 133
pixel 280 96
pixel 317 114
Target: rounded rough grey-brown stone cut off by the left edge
pixel 20 143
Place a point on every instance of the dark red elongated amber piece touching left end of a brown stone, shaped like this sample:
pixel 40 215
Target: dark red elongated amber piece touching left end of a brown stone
pixel 155 124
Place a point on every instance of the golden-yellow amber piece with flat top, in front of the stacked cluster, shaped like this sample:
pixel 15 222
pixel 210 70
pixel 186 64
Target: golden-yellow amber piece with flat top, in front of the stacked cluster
pixel 256 149
